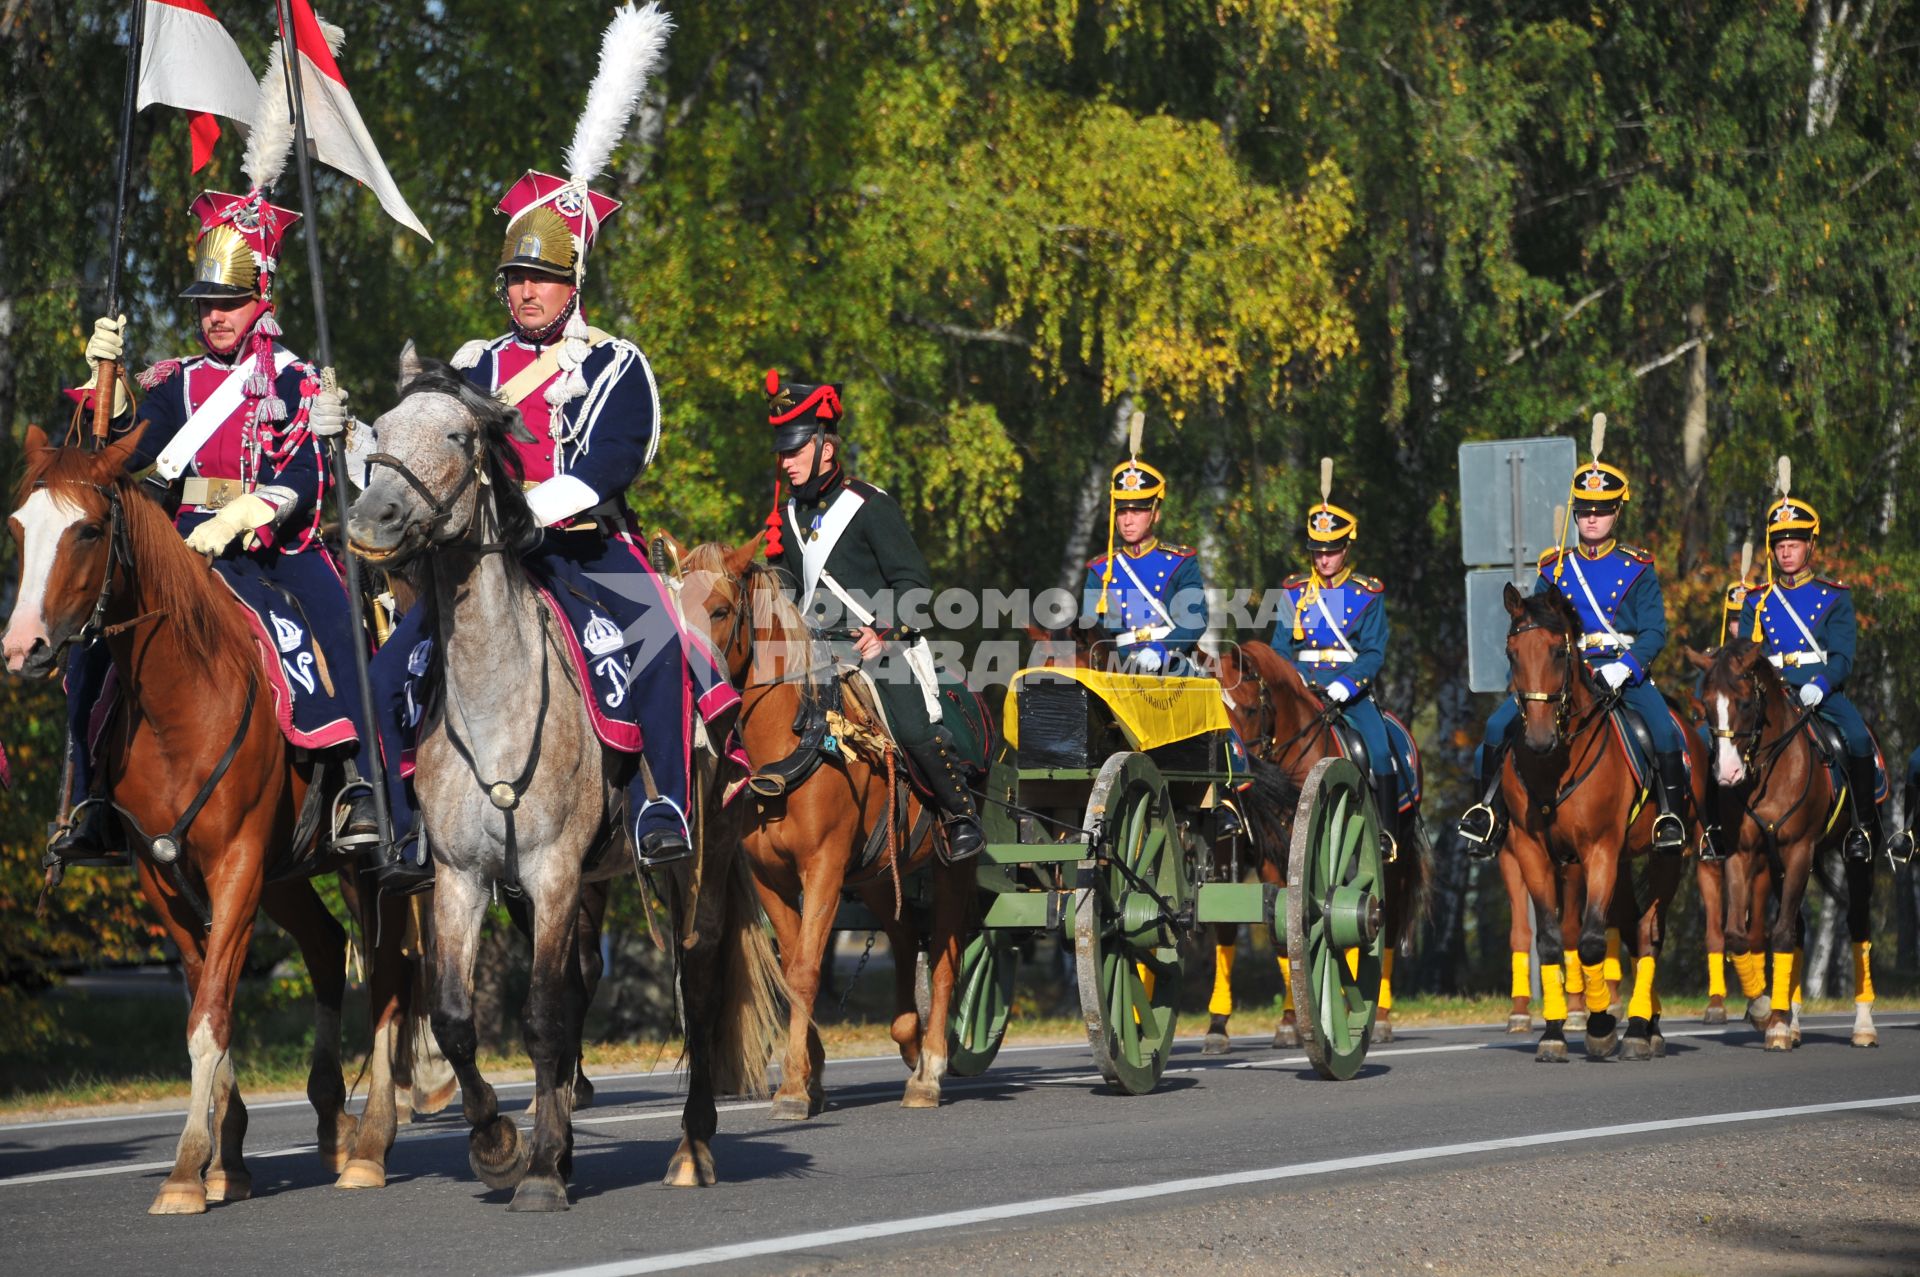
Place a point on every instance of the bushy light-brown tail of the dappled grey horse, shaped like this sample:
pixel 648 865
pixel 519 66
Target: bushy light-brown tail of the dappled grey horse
pixel 750 1019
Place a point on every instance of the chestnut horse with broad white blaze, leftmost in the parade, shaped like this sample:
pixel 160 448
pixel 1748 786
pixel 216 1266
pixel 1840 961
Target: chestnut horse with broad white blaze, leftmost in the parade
pixel 103 560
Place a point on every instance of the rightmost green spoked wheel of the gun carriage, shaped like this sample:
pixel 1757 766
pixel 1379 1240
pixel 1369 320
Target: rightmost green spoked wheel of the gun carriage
pixel 1333 915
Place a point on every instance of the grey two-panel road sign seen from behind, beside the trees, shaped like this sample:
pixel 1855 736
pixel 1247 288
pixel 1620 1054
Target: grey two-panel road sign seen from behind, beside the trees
pixel 1508 494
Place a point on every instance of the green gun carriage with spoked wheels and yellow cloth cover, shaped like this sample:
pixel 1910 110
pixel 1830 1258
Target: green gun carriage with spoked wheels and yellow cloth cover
pixel 1103 811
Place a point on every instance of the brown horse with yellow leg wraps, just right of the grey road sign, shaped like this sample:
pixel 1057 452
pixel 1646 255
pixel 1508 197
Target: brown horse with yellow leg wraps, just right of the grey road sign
pixel 1573 798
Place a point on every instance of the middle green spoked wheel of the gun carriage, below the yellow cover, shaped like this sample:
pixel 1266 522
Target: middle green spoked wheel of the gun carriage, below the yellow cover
pixel 1134 898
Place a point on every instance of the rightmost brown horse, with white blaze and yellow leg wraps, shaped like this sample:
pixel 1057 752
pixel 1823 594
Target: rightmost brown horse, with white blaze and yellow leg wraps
pixel 1779 813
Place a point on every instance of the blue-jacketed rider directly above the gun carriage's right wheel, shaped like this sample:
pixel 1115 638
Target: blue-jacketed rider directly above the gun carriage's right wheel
pixel 1335 633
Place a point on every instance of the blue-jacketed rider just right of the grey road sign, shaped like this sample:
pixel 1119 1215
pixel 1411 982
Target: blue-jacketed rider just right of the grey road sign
pixel 1618 594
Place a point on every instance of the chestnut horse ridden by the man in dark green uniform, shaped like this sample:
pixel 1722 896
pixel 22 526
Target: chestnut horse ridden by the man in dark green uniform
pixel 805 842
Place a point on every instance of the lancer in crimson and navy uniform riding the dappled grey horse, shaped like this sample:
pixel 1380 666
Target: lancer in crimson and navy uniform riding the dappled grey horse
pixel 592 408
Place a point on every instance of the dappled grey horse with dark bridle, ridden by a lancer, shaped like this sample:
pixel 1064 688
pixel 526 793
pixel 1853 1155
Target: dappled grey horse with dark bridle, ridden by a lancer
pixel 508 713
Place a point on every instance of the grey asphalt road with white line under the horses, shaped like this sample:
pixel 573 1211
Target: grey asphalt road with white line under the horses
pixel 1454 1153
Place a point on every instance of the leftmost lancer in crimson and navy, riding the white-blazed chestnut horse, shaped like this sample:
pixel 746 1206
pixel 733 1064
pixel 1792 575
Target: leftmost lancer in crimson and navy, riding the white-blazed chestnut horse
pixel 235 443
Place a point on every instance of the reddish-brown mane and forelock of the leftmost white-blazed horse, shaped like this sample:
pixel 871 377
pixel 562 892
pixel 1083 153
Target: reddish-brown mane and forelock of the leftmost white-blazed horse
pixel 174 579
